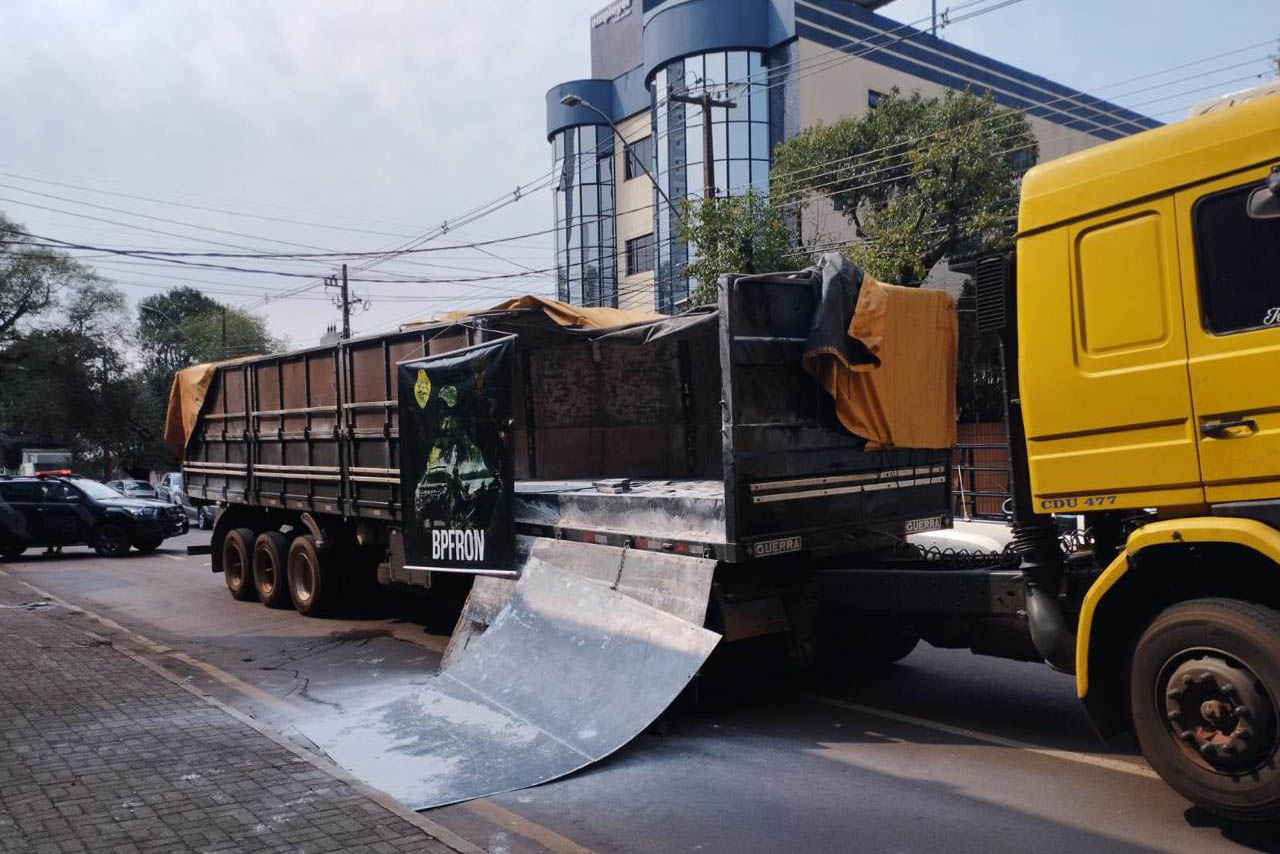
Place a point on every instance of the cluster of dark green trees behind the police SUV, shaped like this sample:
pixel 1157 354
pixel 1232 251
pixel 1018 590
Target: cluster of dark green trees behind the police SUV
pixel 76 373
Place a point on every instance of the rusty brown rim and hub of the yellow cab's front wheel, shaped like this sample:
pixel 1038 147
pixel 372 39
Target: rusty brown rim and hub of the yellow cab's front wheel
pixel 1219 711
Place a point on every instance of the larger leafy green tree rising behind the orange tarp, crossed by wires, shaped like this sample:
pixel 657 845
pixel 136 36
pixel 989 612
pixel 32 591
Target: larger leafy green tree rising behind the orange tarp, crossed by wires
pixel 920 179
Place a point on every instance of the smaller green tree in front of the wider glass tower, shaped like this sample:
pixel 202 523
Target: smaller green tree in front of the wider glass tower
pixel 734 235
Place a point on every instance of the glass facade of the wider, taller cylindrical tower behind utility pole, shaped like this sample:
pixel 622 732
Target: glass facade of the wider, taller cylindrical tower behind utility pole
pixel 740 148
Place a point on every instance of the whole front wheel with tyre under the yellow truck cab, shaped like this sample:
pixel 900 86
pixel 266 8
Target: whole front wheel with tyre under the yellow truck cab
pixel 1205 687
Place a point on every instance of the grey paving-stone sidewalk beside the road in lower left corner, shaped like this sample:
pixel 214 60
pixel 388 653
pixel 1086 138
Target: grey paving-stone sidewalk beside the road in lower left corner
pixel 99 753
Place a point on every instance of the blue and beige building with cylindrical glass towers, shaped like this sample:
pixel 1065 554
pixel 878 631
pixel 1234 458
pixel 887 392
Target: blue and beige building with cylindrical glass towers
pixel 787 66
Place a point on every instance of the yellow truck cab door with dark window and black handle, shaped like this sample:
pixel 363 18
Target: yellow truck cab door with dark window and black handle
pixel 1232 273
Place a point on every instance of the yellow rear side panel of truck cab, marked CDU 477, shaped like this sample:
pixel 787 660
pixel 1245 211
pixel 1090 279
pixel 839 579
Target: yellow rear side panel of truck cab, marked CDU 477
pixel 1103 360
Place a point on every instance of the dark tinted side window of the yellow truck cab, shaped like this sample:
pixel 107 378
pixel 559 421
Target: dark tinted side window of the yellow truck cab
pixel 1238 258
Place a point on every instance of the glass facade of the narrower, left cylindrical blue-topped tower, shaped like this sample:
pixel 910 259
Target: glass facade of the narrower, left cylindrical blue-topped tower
pixel 586 243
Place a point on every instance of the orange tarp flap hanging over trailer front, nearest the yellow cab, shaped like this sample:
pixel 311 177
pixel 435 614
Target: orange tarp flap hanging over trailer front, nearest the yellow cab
pixel 909 400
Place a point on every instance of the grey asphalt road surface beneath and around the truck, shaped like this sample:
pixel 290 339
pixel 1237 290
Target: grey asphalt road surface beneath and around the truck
pixel 948 752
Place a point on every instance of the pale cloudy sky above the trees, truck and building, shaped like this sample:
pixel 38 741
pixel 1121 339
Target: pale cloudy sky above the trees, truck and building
pixel 373 122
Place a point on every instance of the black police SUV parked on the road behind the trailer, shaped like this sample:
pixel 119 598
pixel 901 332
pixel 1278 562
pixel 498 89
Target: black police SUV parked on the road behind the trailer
pixel 68 510
